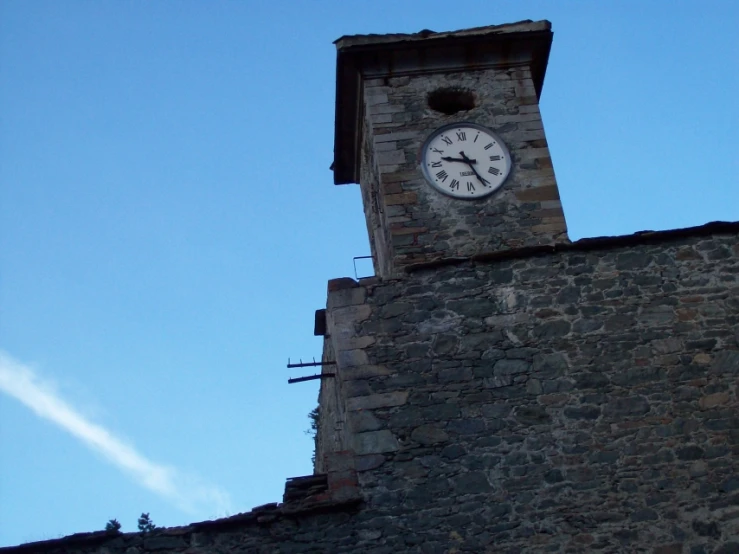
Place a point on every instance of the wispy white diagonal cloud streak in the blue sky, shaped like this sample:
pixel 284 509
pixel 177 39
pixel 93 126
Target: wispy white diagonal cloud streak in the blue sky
pixel 187 492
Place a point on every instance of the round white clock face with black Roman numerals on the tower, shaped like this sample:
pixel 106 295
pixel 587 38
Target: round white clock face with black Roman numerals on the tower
pixel 465 160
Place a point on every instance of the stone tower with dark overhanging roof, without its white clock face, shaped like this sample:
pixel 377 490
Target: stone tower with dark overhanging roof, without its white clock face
pixel 393 91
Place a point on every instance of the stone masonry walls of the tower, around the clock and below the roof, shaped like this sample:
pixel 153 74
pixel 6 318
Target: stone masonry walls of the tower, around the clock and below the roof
pixel 425 225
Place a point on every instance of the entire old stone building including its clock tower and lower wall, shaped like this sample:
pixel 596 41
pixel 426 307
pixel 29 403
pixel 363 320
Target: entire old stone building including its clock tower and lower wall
pixel 496 387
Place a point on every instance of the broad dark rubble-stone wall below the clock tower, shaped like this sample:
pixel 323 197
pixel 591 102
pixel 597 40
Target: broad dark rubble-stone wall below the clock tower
pixel 578 401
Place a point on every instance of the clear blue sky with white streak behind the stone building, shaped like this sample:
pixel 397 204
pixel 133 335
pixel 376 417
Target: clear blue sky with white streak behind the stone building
pixel 168 221
